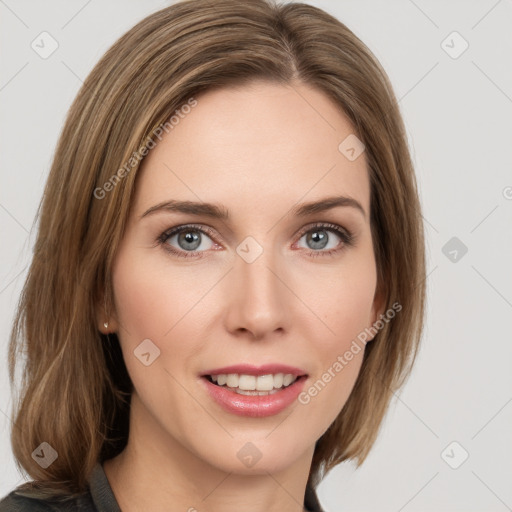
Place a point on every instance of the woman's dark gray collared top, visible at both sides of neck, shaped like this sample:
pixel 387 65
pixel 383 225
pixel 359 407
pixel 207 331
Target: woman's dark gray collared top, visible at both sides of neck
pixel 97 498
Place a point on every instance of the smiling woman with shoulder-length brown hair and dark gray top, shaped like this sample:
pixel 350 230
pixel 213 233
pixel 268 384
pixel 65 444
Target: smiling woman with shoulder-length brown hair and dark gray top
pixel 228 282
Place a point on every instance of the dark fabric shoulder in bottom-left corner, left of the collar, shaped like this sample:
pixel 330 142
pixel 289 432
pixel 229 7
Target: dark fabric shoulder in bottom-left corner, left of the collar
pixel 22 501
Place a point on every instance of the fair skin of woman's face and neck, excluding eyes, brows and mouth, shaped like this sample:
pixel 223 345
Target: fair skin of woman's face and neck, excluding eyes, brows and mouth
pixel 257 150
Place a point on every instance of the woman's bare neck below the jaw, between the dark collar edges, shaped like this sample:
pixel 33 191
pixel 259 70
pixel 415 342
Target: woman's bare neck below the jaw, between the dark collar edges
pixel 156 471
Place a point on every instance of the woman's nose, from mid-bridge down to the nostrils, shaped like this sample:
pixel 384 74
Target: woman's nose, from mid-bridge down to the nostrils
pixel 257 298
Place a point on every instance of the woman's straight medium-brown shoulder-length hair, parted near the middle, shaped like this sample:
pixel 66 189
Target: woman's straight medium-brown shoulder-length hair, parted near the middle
pixel 75 389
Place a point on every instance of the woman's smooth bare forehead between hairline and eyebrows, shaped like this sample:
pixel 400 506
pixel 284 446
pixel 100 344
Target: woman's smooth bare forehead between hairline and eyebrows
pixel 253 145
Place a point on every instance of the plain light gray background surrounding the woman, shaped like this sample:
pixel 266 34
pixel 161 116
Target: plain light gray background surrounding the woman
pixel 458 117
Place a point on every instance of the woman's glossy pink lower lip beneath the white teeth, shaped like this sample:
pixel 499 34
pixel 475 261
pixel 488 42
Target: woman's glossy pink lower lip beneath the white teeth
pixel 257 406
